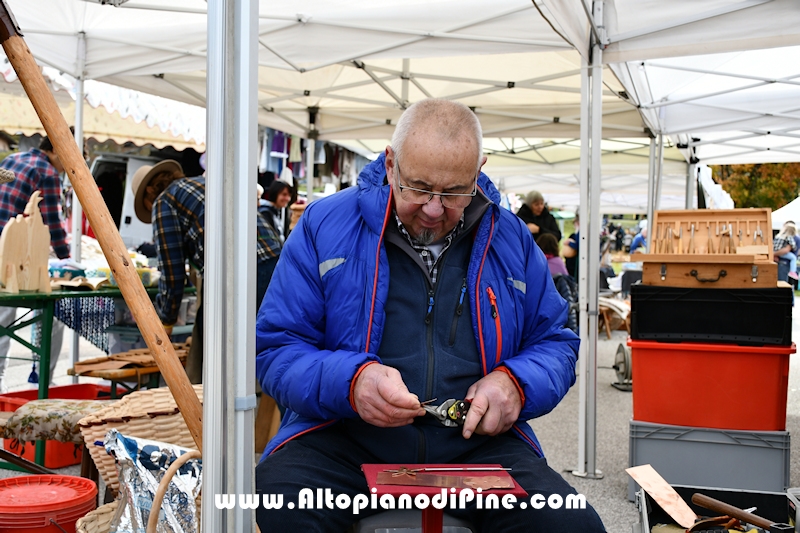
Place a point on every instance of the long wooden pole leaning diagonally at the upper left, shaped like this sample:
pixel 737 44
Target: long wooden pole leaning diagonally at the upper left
pixel 103 225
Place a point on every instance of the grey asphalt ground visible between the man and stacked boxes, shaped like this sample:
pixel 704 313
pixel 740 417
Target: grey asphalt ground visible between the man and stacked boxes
pixel 558 431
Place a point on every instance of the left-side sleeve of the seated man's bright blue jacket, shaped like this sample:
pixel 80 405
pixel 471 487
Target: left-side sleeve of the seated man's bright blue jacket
pixel 292 363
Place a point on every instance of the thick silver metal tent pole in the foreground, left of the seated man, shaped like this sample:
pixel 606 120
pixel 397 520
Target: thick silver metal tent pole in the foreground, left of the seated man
pixel 230 262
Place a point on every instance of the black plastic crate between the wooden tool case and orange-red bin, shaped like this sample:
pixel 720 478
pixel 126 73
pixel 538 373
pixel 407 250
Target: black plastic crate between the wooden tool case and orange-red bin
pixel 748 317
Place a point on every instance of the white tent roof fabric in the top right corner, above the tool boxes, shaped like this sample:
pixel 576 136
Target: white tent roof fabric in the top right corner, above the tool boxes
pixel 720 77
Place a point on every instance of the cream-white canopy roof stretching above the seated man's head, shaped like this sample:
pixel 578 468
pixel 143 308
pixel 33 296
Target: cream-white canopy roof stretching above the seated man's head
pixel 357 72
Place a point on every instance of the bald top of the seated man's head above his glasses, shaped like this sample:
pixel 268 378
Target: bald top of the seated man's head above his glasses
pixel 439 126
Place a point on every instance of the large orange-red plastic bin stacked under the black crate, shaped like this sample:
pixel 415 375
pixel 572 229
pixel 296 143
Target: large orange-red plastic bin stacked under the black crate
pixel 722 386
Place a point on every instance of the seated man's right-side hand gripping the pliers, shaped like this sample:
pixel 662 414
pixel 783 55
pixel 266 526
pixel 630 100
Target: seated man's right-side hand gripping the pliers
pixel 495 405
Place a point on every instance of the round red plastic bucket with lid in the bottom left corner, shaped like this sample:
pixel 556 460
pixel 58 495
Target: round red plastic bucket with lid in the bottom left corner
pixel 35 504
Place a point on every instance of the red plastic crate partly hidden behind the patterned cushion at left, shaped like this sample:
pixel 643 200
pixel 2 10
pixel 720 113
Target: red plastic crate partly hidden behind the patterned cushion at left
pixel 57 454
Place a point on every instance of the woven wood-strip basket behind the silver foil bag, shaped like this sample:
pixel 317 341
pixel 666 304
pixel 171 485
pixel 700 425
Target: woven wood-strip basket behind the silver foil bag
pixel 149 414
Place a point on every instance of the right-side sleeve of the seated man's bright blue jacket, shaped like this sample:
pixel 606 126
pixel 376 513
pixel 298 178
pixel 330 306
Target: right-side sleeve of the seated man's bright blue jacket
pixel 544 366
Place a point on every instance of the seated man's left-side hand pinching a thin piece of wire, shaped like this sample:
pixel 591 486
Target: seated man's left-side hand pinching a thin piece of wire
pixel 383 400
